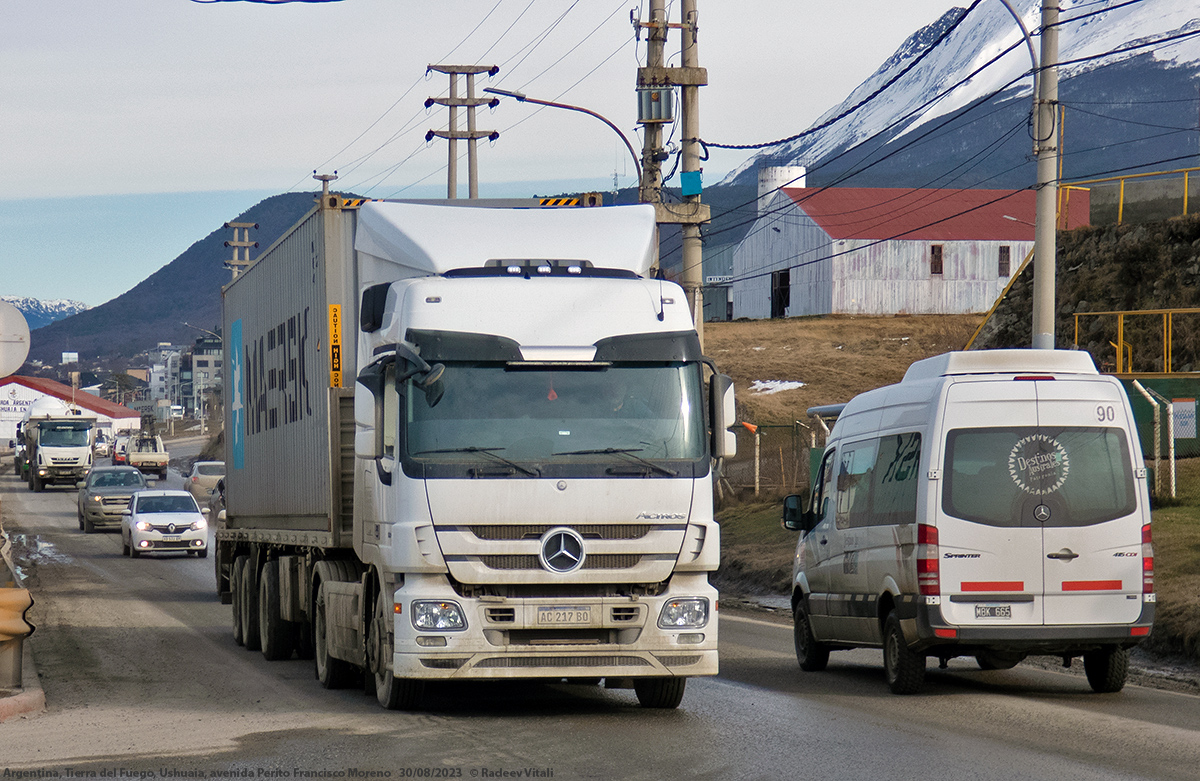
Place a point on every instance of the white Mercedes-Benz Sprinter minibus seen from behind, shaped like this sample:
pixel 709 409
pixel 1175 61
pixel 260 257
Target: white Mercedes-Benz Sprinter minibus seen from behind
pixel 992 504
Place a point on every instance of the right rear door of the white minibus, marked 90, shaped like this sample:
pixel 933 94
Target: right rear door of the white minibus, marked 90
pixel 1093 545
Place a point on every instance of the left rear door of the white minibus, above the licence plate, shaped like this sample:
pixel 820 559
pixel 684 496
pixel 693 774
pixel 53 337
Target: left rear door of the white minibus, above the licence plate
pixel 991 546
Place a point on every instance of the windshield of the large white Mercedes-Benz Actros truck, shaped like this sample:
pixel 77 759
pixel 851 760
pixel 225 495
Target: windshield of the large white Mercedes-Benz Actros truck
pixel 621 416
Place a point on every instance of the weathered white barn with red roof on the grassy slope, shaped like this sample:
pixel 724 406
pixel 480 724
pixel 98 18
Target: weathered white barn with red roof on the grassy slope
pixel 885 251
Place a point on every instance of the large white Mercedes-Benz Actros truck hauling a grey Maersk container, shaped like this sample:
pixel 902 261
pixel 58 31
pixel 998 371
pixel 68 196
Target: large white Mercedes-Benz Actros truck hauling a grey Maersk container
pixel 471 443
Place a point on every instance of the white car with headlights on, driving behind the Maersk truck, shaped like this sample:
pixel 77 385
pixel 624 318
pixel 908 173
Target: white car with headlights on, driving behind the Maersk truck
pixel 165 522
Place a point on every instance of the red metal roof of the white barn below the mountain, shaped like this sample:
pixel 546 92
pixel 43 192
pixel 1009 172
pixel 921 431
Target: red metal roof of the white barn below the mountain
pixel 931 215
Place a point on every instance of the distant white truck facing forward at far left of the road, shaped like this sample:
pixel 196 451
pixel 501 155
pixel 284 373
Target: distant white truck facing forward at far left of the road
pixel 58 443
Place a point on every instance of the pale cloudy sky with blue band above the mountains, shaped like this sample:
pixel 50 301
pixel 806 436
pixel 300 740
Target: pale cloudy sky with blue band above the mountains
pixel 131 129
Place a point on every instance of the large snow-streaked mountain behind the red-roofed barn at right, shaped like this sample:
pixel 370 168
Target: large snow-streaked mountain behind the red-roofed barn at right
pixel 1125 68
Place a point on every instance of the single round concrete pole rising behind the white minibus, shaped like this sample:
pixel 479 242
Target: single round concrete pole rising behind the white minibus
pixel 1046 131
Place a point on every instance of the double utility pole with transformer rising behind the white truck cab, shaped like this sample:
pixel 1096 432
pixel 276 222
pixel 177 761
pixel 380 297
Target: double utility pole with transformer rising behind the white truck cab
pixel 656 85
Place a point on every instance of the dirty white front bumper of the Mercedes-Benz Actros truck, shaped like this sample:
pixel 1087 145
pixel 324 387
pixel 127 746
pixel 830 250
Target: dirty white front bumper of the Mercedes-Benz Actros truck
pixel 556 638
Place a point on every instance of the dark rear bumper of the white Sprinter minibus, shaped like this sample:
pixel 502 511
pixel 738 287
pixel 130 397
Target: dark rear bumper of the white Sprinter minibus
pixel 1053 640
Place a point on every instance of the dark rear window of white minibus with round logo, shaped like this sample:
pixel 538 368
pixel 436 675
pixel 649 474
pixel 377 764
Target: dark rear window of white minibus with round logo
pixel 1001 477
